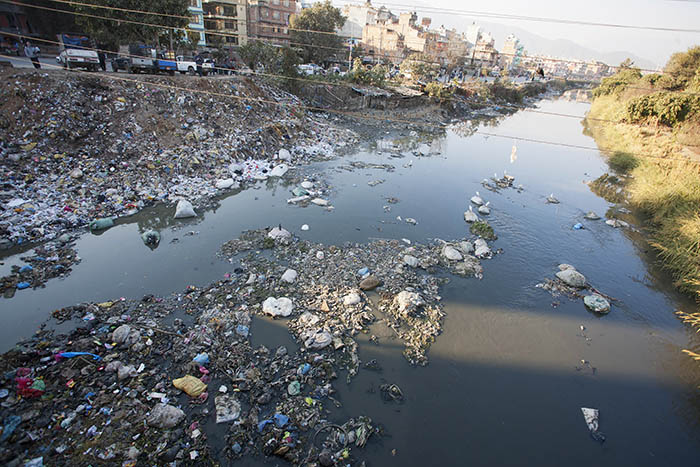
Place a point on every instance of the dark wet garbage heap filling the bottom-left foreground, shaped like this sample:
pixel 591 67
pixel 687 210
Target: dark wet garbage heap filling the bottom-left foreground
pixel 157 381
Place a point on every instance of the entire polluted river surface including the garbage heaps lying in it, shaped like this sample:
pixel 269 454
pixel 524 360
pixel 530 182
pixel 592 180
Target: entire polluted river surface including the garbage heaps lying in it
pixel 503 350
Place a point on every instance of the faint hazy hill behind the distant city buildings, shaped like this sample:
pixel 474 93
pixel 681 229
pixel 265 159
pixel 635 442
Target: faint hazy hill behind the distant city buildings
pixel 562 48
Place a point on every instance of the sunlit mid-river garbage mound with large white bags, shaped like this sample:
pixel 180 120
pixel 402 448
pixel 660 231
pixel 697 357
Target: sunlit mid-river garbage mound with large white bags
pixel 323 290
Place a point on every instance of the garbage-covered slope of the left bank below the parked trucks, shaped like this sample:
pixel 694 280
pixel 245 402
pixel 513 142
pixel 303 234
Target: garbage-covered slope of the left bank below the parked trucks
pixel 74 148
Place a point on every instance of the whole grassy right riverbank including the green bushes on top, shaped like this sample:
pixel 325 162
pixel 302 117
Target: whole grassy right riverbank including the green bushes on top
pixel 650 129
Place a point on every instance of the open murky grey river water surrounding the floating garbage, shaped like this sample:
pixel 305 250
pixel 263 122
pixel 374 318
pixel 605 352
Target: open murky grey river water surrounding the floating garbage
pixel 505 383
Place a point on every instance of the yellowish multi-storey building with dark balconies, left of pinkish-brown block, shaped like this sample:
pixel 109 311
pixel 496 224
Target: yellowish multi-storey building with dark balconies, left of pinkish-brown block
pixel 226 22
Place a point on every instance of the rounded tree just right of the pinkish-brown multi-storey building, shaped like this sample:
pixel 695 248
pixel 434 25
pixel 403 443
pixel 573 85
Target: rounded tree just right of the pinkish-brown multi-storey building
pixel 322 17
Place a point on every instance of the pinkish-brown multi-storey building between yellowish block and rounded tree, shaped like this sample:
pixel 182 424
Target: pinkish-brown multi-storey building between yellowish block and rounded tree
pixel 268 20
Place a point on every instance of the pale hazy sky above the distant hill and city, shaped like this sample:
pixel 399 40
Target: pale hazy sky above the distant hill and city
pixel 656 46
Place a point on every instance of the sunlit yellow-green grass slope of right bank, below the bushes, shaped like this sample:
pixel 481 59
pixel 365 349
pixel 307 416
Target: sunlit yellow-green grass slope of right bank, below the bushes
pixel 660 172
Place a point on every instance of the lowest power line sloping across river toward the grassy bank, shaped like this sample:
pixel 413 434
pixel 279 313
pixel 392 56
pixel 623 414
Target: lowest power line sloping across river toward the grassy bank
pixel 365 117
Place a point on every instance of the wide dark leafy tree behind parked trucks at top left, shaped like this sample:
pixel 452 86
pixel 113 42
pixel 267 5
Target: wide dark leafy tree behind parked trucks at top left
pixel 172 15
